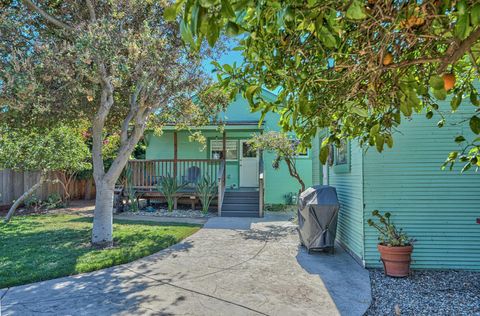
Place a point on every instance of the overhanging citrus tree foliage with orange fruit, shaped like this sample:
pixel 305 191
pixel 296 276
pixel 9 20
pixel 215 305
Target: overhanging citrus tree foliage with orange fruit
pixel 353 67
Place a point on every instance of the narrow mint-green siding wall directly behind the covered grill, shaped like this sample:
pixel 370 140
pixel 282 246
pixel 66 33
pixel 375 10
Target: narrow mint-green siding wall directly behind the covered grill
pixel 349 189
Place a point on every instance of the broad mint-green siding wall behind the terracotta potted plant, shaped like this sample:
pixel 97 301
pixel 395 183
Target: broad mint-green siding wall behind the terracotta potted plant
pixel 438 208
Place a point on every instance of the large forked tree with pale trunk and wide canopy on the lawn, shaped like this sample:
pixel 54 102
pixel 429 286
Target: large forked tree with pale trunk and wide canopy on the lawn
pixel 118 64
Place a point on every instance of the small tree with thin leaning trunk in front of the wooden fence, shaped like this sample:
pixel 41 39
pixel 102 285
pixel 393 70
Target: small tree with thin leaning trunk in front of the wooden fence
pixel 61 149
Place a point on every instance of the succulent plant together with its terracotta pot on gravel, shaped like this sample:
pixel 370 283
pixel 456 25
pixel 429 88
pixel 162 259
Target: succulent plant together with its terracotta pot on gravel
pixel 394 245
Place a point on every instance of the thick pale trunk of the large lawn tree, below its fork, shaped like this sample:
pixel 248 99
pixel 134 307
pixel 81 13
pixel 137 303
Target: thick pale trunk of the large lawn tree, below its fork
pixel 102 234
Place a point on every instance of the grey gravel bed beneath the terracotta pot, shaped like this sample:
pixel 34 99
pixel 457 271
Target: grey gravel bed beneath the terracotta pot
pixel 426 292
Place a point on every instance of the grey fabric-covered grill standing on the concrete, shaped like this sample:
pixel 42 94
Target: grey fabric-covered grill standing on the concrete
pixel 317 217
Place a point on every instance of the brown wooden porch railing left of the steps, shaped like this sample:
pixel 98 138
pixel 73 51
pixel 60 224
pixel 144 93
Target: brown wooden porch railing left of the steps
pixel 146 174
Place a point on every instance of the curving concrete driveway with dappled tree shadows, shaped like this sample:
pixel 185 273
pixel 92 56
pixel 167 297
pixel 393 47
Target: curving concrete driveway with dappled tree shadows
pixel 233 266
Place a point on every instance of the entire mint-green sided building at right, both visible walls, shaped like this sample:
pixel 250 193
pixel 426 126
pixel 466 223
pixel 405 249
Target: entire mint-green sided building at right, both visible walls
pixel 438 208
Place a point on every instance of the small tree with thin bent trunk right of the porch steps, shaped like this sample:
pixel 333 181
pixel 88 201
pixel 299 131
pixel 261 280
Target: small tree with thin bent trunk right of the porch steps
pixel 285 148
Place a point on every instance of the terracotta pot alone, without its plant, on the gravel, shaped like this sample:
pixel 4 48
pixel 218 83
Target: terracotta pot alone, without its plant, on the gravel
pixel 396 260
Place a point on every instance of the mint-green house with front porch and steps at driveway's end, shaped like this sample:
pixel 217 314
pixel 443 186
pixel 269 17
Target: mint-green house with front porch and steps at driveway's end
pixel 246 179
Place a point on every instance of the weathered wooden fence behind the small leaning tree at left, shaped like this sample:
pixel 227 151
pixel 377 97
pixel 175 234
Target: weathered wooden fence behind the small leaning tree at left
pixel 14 184
